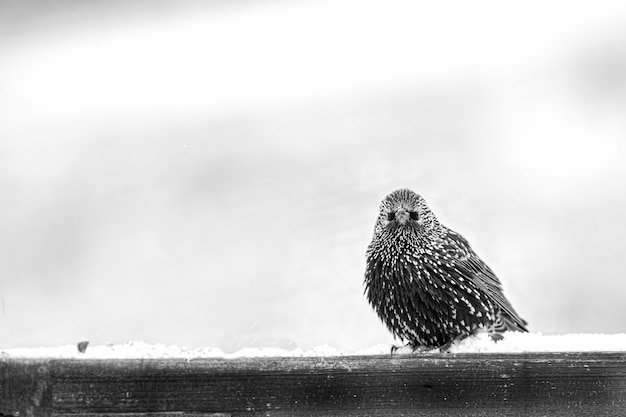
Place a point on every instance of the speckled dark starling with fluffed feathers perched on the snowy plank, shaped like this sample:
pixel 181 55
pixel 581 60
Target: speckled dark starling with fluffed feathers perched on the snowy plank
pixel 426 283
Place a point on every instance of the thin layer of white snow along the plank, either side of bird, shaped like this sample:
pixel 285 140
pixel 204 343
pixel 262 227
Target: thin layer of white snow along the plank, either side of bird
pixel 513 342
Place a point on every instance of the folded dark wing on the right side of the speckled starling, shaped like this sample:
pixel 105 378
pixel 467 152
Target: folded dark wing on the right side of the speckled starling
pixel 470 264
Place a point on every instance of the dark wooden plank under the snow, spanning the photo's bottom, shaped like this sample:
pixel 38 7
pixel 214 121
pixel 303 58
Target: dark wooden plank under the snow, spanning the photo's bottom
pixel 537 384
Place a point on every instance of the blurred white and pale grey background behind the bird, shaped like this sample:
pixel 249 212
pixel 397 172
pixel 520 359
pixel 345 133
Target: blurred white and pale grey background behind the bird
pixel 209 173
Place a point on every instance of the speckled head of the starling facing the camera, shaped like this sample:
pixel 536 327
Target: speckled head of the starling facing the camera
pixel 404 210
